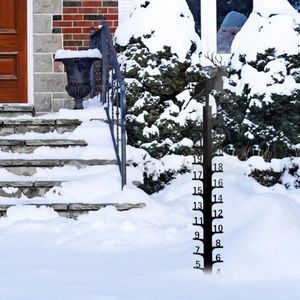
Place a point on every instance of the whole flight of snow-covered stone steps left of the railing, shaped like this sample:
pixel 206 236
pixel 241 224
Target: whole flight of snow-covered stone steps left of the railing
pixel 74 179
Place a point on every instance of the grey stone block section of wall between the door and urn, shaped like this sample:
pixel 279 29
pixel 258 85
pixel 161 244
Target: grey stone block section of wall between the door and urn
pixel 49 78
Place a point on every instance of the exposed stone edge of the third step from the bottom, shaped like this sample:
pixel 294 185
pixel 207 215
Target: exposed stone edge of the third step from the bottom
pixel 24 167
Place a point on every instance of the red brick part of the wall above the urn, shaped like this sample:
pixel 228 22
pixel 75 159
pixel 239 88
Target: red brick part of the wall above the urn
pixel 79 16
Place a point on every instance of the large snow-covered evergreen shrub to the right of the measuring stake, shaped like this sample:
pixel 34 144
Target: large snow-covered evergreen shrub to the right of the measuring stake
pixel 262 101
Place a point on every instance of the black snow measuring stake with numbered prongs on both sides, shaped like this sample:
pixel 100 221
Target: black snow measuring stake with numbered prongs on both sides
pixel 208 198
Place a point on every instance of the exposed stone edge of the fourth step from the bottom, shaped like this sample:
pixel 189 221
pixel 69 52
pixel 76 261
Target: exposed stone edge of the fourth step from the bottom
pixel 28 146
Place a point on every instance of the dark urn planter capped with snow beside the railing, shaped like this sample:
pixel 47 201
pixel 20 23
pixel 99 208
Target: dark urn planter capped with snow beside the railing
pixel 78 66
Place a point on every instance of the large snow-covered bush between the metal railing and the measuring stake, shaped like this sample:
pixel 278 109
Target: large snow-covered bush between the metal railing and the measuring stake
pixel 159 52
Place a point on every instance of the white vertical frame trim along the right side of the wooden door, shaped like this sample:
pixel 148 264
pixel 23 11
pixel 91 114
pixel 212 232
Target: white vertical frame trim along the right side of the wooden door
pixel 30 86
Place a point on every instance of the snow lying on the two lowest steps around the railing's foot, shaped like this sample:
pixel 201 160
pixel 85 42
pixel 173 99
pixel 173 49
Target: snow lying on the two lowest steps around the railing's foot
pixel 94 184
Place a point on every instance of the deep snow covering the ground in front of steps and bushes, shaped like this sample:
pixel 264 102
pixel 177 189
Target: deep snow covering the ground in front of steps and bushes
pixel 147 253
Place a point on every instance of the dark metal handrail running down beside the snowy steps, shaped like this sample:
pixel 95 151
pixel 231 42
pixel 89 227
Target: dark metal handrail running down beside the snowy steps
pixel 107 79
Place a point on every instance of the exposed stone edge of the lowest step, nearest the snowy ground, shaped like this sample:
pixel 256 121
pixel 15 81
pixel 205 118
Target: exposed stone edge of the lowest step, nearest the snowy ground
pixel 73 210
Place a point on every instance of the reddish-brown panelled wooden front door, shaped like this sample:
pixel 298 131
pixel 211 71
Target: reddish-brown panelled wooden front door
pixel 13 51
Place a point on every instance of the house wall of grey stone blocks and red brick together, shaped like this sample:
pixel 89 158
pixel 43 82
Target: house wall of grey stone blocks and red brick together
pixel 61 24
